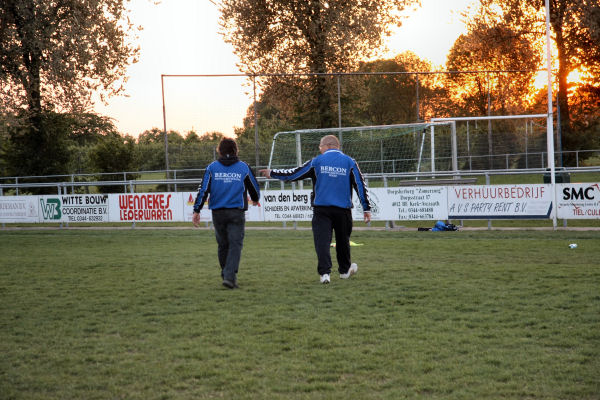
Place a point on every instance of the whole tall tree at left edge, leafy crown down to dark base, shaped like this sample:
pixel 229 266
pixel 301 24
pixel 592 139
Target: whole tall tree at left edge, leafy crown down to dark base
pixel 53 56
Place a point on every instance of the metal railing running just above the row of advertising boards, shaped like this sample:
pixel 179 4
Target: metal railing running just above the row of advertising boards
pixel 188 179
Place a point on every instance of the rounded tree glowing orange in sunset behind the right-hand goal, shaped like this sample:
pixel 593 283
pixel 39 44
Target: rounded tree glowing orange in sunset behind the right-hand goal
pixel 511 61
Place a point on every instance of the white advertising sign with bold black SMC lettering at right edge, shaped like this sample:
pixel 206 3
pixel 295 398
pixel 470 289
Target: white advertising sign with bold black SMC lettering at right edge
pixel 578 200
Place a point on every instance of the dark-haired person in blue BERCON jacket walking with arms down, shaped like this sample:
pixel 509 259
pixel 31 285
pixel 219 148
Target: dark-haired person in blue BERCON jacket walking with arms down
pixel 229 181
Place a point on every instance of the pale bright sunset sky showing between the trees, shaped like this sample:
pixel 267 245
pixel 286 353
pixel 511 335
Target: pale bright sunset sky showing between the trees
pixel 181 37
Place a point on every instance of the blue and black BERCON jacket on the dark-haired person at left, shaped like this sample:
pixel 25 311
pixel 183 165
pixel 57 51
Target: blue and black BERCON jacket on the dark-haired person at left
pixel 229 182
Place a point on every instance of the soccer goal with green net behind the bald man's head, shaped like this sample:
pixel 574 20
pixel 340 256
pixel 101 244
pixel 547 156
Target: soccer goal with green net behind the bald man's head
pixel 384 149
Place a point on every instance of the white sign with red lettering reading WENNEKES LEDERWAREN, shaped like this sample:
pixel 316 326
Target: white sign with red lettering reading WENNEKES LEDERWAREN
pixel 146 207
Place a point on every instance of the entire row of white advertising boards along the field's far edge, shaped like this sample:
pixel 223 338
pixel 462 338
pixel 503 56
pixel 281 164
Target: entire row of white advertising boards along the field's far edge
pixel 532 201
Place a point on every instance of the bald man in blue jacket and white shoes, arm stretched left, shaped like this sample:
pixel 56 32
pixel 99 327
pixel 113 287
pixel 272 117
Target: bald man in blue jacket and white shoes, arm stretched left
pixel 334 175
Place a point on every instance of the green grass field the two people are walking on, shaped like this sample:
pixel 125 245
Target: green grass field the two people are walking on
pixel 141 314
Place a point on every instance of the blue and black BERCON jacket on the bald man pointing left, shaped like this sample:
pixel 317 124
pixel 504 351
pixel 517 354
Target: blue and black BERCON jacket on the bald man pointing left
pixel 334 175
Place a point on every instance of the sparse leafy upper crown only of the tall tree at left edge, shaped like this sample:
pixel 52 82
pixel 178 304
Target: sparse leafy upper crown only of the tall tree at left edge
pixel 55 54
